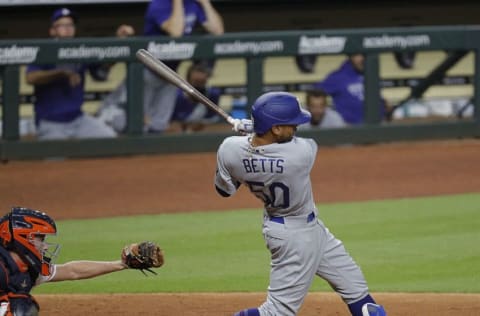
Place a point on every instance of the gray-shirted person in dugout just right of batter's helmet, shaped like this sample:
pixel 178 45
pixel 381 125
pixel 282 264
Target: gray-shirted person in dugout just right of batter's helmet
pixel 323 116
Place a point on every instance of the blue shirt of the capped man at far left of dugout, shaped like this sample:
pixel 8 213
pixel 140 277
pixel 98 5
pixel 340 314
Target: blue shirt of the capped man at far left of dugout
pixel 58 101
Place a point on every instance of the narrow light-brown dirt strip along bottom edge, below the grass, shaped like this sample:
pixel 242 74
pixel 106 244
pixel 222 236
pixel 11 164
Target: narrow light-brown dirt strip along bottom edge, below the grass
pixel 201 304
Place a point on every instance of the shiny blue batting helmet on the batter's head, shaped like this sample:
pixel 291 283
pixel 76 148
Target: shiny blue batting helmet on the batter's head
pixel 277 108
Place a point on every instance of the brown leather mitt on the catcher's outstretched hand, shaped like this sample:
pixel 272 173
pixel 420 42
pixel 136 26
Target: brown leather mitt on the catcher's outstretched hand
pixel 143 256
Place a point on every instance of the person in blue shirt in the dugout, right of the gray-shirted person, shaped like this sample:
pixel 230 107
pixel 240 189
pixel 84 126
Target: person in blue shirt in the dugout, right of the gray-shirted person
pixel 346 87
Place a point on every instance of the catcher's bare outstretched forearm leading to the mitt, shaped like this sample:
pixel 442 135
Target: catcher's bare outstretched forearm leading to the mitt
pixel 77 270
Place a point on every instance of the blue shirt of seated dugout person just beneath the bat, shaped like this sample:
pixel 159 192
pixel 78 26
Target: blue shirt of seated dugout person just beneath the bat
pixel 184 106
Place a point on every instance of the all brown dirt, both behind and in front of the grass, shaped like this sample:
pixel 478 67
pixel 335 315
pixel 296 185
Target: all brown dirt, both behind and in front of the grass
pixel 183 183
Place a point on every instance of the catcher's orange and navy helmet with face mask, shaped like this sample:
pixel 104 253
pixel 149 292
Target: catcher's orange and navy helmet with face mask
pixel 18 230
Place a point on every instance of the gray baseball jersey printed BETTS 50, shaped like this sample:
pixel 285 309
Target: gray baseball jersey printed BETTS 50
pixel 278 174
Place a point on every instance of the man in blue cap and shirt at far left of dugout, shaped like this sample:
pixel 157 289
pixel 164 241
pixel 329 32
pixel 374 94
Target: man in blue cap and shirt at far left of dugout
pixel 59 89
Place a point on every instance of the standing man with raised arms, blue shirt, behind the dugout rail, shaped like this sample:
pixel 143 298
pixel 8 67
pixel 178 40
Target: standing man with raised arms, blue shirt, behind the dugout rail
pixel 172 18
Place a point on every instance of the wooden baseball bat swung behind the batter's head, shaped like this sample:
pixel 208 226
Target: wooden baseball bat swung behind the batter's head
pixel 166 73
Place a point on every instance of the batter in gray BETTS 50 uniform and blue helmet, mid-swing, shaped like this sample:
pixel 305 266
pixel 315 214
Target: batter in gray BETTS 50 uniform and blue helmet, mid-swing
pixel 275 165
